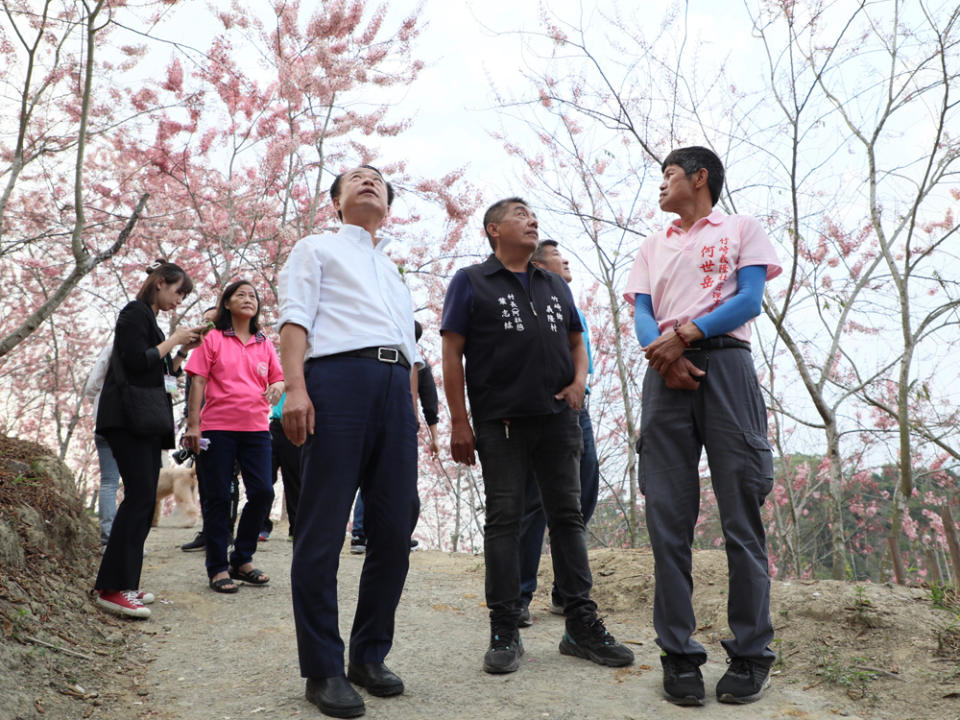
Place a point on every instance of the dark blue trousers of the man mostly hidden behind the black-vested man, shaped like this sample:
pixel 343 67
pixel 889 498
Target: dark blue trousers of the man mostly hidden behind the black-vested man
pixel 534 521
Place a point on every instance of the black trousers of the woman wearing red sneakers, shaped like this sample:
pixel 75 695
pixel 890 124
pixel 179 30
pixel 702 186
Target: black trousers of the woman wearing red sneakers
pixel 138 458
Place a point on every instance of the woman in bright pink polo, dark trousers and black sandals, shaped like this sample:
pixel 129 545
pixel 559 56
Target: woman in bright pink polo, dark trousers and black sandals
pixel 236 378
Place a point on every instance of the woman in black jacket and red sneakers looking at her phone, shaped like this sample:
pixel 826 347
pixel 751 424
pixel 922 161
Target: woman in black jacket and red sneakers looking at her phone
pixel 144 355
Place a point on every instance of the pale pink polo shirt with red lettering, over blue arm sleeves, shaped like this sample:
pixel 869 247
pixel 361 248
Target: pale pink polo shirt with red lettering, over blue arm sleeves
pixel 689 274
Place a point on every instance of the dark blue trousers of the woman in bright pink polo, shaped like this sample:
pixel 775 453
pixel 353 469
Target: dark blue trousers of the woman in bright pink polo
pixel 251 451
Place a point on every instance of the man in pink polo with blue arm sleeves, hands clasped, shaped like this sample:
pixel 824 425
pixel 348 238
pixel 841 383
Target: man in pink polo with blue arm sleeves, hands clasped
pixel 696 288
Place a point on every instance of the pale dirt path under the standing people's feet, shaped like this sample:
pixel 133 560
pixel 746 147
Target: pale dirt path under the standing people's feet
pixel 233 657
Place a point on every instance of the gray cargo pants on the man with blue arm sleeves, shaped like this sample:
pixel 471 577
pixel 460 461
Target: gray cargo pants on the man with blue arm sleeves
pixel 727 416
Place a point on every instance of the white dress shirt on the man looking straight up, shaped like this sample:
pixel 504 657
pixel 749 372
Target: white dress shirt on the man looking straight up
pixel 347 294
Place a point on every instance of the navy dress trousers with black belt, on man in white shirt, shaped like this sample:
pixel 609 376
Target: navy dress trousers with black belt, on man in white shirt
pixel 365 437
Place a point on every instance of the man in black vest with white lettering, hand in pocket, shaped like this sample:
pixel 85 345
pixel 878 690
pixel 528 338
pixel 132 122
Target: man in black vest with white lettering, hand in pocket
pixel 526 366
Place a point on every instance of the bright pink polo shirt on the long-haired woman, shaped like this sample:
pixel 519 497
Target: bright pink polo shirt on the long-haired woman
pixel 237 377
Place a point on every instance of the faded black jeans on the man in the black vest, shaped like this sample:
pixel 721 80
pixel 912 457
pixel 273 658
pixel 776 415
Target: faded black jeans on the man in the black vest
pixel 549 447
